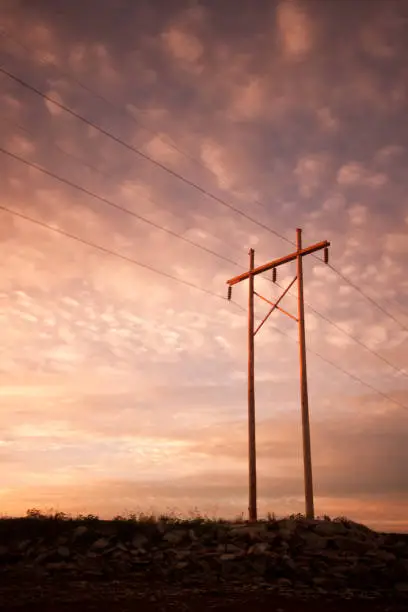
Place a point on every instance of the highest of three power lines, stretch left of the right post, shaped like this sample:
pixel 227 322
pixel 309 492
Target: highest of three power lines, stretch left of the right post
pixel 140 153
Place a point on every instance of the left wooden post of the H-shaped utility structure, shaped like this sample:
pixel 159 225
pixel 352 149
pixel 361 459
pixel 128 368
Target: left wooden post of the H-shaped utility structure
pixel 251 396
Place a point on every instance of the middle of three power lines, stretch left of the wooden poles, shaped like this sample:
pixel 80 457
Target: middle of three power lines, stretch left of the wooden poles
pixel 112 204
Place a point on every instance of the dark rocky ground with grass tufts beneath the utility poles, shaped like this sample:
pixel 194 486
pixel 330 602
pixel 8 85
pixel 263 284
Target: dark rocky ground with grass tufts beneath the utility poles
pixel 276 565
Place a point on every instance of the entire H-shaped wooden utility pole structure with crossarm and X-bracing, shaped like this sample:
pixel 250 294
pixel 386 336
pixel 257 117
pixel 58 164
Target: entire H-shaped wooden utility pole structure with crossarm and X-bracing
pixel 250 275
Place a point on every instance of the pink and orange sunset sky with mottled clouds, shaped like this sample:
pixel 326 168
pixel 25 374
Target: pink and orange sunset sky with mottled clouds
pixel 123 389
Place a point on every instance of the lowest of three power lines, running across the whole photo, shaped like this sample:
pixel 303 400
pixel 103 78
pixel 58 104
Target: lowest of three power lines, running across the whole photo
pixel 107 251
